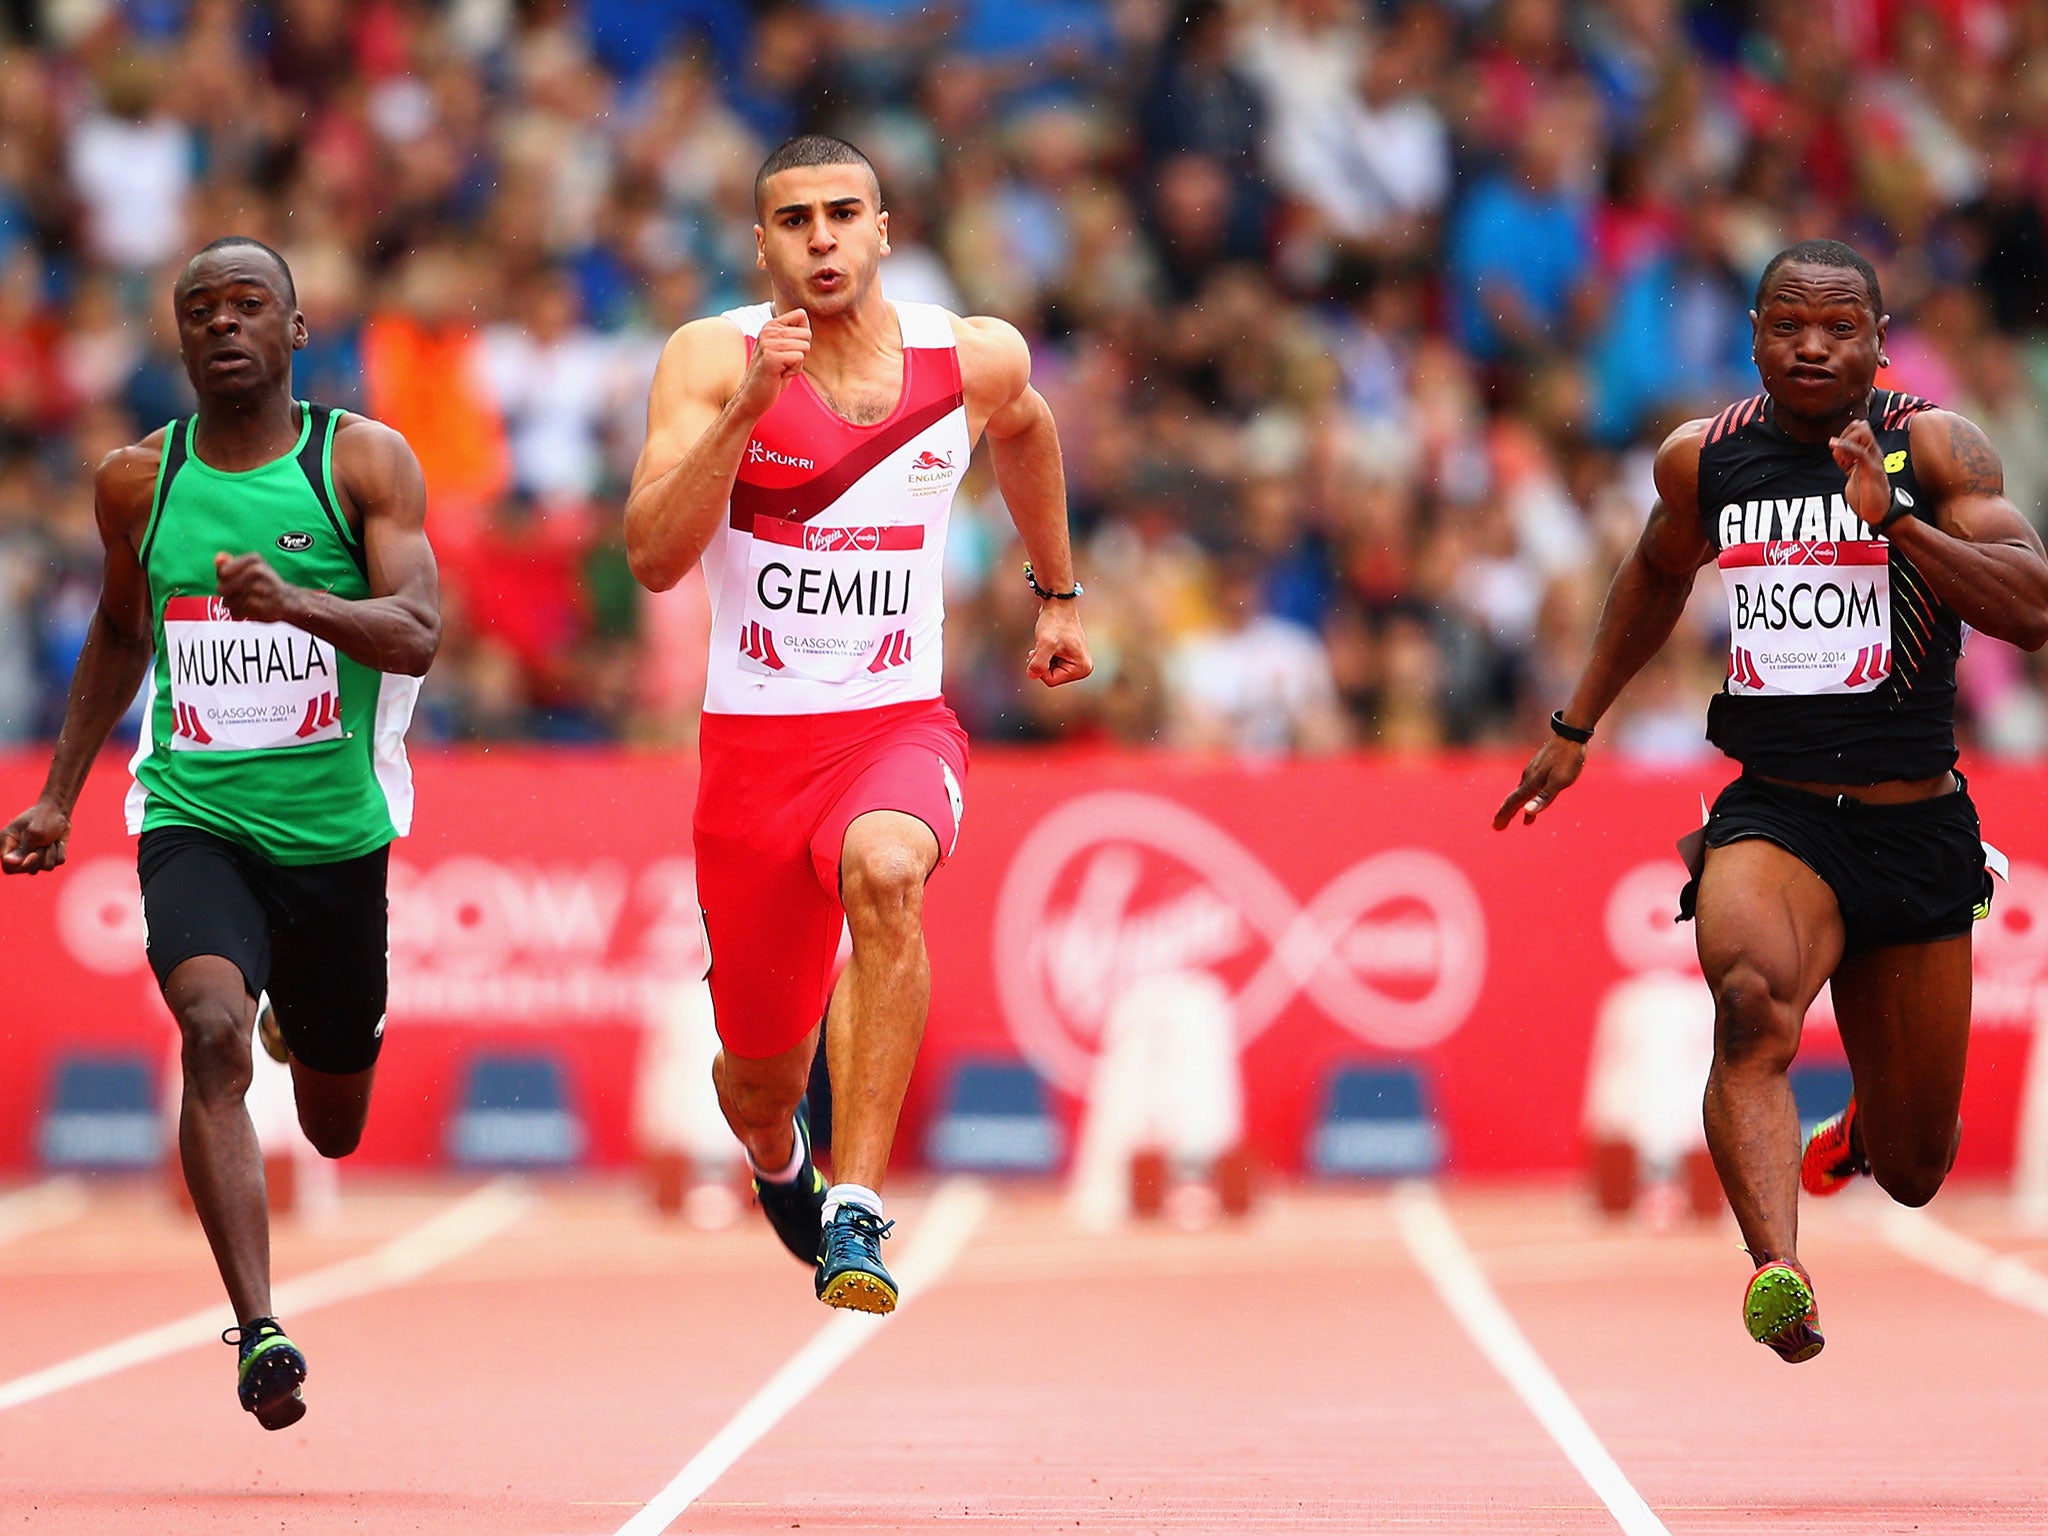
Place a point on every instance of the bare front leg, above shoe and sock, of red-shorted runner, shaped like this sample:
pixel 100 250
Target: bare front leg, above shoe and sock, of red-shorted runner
pixel 882 1002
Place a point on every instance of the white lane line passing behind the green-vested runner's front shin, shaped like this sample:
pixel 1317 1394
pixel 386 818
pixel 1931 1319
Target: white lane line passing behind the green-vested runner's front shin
pixel 447 1236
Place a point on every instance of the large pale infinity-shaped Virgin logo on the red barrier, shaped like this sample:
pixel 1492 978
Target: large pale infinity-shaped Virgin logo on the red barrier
pixel 1117 888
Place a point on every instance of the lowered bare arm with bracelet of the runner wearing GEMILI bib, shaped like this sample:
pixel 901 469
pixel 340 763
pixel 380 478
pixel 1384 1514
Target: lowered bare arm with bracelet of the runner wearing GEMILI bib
pixel 1025 454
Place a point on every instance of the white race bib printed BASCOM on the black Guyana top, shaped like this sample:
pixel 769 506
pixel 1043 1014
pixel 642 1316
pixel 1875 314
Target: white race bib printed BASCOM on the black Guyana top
pixel 1809 617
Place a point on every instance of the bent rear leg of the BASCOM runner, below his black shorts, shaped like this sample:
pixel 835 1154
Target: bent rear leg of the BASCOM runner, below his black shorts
pixel 1906 1025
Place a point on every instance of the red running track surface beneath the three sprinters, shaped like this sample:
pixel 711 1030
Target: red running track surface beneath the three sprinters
pixel 1297 1373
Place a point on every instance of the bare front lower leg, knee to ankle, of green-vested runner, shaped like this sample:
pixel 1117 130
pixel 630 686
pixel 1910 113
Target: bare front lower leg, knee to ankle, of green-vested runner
pixel 216 1138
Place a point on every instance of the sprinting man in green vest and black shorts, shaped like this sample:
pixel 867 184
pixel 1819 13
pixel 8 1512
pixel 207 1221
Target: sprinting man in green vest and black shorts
pixel 271 556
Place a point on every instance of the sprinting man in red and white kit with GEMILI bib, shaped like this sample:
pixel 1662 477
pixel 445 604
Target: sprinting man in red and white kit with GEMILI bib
pixel 806 452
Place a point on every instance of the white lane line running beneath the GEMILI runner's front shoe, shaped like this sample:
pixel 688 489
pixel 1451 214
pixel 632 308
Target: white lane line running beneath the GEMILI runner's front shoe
pixel 945 1228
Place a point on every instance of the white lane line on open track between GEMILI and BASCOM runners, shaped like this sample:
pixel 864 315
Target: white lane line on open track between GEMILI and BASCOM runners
pixel 1441 1252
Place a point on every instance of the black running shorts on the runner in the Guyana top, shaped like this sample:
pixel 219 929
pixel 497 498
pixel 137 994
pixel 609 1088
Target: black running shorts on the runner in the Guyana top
pixel 1902 873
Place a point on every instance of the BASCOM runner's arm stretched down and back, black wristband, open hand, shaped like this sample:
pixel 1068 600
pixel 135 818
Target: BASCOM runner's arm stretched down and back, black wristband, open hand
pixel 1641 611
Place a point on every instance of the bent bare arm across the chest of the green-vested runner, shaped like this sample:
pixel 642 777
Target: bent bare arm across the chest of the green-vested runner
pixel 384 495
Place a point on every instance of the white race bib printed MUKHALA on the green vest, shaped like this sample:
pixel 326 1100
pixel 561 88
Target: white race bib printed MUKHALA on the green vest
pixel 247 687
